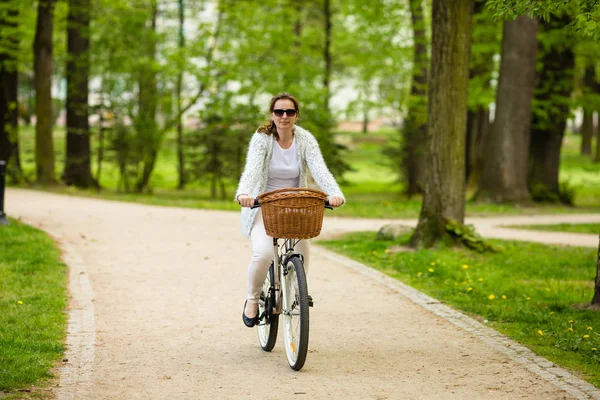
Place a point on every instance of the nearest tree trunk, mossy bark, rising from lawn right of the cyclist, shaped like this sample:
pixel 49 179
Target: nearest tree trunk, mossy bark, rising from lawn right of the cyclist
pixel 444 194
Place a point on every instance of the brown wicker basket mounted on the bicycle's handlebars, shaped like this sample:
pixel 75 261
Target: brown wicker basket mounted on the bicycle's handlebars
pixel 293 213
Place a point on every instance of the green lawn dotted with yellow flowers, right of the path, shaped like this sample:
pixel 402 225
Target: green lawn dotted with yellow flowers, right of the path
pixel 527 291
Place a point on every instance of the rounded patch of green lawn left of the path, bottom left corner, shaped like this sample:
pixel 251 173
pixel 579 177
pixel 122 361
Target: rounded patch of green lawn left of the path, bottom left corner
pixel 33 300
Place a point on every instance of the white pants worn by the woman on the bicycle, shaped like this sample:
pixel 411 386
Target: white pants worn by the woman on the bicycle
pixel 262 256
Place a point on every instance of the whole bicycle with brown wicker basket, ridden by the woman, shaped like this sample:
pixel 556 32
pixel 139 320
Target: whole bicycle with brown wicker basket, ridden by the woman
pixel 288 213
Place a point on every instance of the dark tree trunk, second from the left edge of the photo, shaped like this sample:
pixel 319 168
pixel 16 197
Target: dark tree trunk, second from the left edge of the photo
pixel 42 50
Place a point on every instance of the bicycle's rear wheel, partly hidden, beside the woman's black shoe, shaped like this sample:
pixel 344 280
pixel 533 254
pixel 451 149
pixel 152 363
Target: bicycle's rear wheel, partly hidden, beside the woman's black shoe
pixel 269 322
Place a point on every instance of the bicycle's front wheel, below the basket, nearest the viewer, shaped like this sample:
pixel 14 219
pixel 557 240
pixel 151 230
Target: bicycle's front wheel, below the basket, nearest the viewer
pixel 295 313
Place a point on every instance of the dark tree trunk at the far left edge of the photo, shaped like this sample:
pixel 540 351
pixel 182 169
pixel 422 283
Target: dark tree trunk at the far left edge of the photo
pixel 9 106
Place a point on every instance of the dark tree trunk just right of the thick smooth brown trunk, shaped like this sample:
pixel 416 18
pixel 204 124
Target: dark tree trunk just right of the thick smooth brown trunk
pixel 554 87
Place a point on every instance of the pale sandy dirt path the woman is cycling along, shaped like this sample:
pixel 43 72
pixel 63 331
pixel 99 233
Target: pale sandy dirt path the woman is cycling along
pixel 157 297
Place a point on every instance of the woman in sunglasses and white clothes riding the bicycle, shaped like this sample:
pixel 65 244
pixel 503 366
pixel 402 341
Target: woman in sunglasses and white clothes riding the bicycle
pixel 278 156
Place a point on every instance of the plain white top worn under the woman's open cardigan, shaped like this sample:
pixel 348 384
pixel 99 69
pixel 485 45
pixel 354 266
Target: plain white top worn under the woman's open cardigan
pixel 284 168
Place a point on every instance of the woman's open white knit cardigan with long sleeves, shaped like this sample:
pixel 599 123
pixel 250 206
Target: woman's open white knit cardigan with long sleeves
pixel 254 178
